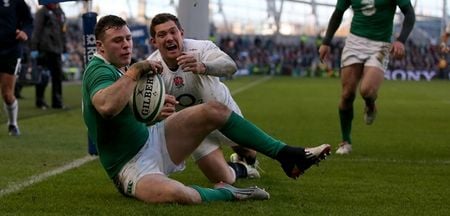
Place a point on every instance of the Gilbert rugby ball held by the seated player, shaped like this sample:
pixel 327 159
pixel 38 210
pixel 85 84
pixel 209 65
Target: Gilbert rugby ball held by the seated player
pixel 147 99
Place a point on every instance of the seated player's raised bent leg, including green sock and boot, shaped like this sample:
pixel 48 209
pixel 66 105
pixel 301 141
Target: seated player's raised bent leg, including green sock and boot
pixel 185 131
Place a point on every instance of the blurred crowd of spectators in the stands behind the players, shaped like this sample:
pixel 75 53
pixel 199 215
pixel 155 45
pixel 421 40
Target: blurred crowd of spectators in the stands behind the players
pixel 261 55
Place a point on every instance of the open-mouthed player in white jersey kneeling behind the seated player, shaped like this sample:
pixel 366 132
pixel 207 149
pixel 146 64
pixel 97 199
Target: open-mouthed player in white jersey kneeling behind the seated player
pixel 191 72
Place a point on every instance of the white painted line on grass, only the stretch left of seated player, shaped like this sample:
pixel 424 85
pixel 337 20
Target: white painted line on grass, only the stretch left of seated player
pixel 41 177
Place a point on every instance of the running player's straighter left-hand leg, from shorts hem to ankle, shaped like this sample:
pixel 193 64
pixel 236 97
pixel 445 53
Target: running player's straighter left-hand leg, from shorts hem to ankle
pixel 350 77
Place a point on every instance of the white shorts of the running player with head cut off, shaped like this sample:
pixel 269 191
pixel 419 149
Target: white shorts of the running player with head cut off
pixel 368 52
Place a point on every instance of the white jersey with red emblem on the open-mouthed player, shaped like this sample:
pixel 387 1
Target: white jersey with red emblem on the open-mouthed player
pixel 191 89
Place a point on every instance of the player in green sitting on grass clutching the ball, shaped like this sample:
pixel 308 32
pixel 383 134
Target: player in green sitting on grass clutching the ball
pixel 139 158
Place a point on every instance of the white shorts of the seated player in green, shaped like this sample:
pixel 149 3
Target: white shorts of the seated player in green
pixel 153 158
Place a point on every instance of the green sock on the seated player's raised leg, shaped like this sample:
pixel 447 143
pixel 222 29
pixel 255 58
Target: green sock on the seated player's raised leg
pixel 248 135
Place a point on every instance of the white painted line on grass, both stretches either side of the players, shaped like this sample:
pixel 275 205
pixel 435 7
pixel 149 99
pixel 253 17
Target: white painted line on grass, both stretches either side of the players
pixel 81 161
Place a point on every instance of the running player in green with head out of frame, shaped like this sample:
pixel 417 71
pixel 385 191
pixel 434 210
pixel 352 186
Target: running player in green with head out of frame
pixel 366 54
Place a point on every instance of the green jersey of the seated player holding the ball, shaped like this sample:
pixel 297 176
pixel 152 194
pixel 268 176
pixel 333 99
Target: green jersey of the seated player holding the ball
pixel 117 139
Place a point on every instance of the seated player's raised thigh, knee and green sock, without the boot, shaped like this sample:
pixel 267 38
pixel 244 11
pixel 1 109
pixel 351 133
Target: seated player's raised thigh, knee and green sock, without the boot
pixel 186 129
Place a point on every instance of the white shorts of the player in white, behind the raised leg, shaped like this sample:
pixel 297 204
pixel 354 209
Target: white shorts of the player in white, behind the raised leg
pixel 215 139
